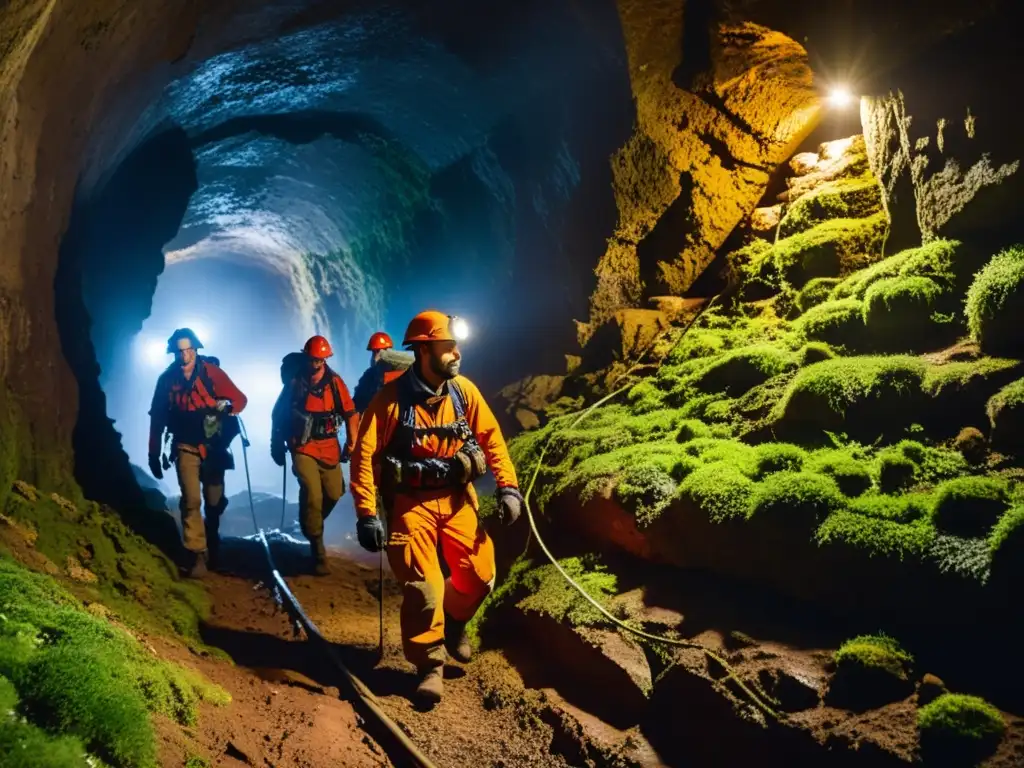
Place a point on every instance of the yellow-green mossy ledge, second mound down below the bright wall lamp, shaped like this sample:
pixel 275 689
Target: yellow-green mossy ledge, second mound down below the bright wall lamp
pixel 831 249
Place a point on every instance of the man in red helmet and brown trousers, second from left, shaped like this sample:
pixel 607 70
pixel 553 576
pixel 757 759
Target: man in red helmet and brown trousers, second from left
pixel 307 420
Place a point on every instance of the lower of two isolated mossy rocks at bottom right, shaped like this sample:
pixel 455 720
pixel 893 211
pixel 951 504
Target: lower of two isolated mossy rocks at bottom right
pixel 959 730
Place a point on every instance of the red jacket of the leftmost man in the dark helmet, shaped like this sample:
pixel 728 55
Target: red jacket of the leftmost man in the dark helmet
pixel 175 393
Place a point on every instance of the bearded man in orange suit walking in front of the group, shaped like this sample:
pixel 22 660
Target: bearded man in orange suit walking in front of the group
pixel 428 437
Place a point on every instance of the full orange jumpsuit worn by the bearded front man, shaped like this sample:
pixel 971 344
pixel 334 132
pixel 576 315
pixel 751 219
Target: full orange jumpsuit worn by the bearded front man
pixel 418 520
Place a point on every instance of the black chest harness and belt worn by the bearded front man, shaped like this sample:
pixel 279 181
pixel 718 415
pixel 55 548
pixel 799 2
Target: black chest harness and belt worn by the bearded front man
pixel 401 471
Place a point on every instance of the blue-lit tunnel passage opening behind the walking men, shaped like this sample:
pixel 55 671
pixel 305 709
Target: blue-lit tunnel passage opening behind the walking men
pixel 350 174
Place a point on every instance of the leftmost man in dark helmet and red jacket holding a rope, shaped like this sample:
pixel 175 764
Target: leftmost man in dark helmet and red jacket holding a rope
pixel 197 404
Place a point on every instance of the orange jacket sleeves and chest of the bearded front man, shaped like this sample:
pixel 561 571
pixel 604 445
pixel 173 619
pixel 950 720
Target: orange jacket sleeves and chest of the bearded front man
pixel 381 418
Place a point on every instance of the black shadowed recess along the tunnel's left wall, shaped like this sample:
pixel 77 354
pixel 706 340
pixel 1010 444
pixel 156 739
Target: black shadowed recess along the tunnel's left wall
pixel 110 261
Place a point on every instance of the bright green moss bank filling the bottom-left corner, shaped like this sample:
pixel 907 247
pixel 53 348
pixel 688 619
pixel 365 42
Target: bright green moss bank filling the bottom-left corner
pixel 79 675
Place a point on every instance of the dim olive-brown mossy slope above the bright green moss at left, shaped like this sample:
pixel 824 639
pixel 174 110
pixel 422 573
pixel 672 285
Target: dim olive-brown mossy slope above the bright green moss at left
pixel 135 579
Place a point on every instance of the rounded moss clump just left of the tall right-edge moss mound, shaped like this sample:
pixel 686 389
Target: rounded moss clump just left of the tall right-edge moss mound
pixel 901 315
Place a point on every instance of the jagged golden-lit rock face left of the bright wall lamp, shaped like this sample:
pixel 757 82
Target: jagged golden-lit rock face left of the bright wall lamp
pixel 718 108
